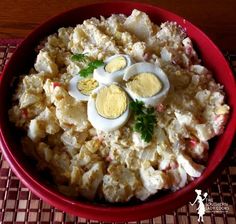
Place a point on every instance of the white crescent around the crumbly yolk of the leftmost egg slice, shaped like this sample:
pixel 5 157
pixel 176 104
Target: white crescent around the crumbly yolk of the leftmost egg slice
pixel 74 91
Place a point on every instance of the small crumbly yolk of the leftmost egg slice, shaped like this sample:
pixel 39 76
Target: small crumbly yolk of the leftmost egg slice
pixel 87 85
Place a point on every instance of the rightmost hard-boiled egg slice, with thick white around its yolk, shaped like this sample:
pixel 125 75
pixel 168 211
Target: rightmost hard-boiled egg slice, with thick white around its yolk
pixel 146 82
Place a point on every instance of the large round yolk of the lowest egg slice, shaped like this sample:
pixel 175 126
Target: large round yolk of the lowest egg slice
pixel 111 102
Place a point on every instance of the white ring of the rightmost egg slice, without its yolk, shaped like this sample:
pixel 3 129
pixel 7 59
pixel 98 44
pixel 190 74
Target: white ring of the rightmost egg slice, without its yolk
pixel 151 68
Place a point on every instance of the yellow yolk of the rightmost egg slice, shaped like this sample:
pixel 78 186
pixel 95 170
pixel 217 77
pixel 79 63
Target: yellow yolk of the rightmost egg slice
pixel 145 84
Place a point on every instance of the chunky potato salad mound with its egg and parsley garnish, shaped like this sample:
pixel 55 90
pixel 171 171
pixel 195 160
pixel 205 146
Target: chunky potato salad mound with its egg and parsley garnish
pixel 118 109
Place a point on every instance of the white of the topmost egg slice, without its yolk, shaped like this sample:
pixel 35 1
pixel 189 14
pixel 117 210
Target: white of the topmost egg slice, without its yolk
pixel 106 78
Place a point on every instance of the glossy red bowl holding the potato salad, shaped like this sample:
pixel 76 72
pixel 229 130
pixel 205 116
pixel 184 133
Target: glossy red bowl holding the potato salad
pixel 23 59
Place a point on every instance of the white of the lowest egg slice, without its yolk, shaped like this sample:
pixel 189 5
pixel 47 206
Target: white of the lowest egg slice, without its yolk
pixel 101 123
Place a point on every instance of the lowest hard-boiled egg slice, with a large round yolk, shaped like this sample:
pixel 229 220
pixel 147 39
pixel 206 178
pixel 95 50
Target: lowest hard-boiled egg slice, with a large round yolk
pixel 108 108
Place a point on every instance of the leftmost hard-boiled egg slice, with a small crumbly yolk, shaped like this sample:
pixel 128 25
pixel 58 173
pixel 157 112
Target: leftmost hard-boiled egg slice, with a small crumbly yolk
pixel 80 88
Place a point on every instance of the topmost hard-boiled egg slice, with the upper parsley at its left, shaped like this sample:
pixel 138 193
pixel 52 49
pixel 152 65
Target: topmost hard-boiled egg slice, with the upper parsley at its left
pixel 113 70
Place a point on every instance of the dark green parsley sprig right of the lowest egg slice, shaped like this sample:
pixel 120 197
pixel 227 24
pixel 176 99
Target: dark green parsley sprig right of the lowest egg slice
pixel 144 120
